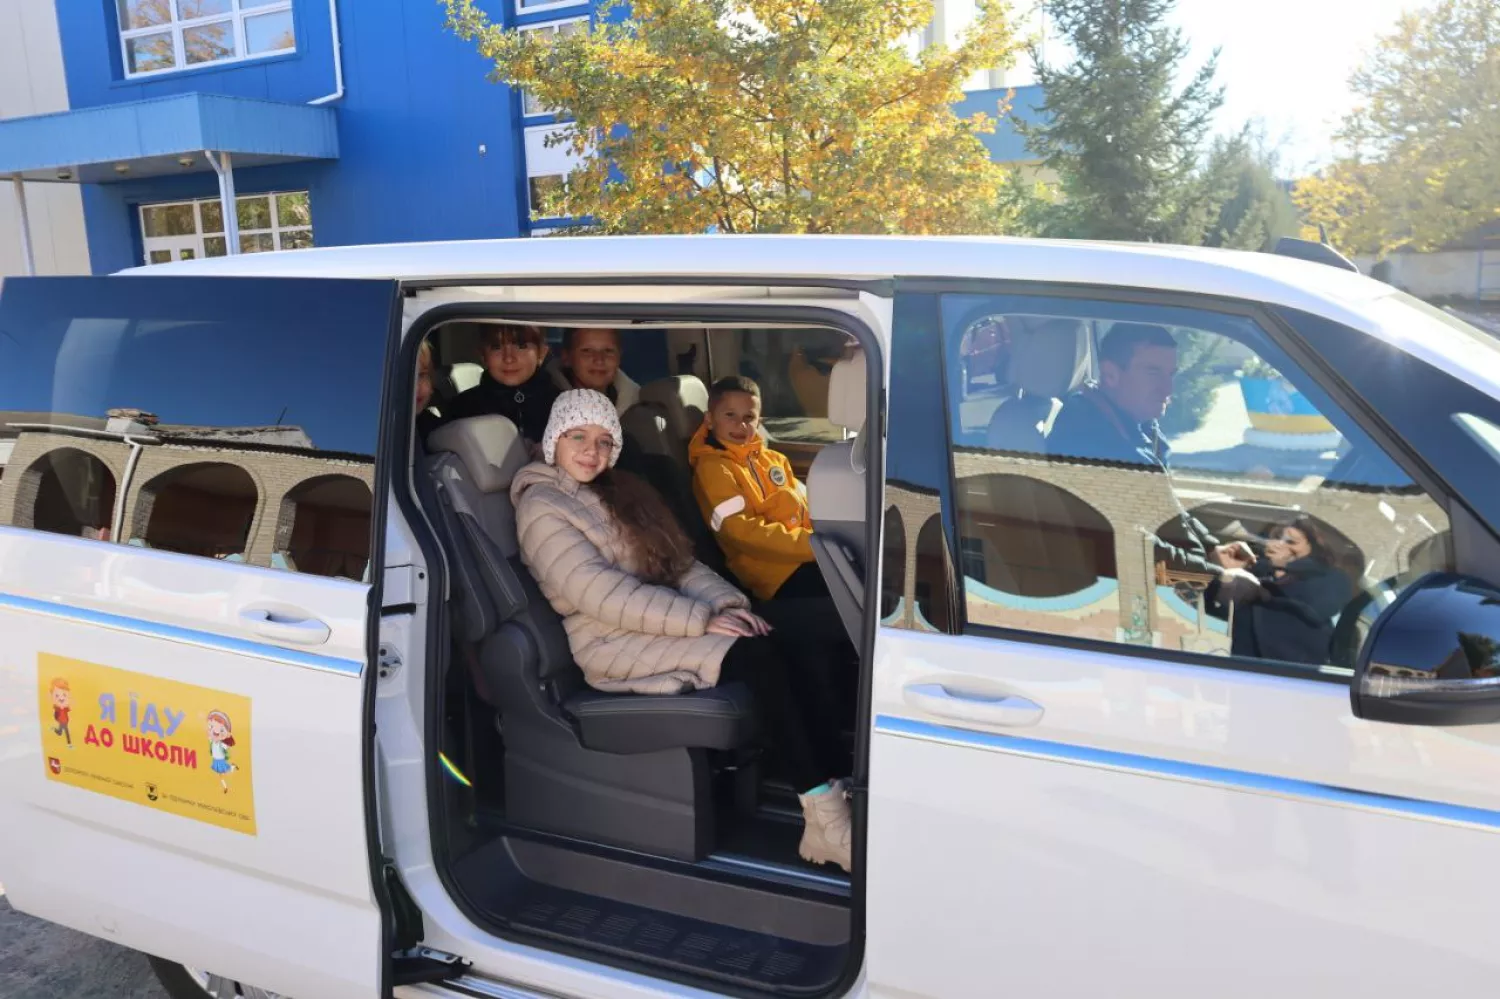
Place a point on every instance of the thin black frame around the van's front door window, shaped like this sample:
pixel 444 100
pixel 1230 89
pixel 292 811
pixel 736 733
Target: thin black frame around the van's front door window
pixel 1279 332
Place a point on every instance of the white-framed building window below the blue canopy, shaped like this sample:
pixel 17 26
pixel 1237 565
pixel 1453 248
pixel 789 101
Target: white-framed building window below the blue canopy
pixel 187 230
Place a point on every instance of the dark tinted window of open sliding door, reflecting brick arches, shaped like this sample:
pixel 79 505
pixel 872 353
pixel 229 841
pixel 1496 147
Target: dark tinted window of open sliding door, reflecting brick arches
pixel 230 419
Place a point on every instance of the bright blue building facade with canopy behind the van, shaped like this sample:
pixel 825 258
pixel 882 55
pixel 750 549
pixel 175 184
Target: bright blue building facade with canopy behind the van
pixel 344 122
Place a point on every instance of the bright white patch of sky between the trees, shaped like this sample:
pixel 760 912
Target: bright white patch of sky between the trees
pixel 1288 64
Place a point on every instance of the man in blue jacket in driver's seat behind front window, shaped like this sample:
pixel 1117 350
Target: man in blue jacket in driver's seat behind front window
pixel 1117 421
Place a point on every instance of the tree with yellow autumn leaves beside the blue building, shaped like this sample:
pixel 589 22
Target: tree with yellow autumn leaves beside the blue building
pixel 763 116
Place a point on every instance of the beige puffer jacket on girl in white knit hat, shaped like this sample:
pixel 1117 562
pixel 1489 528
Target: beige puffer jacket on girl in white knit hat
pixel 626 635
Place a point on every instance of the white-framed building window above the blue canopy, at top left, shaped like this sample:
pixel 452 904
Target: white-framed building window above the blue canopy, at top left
pixel 160 37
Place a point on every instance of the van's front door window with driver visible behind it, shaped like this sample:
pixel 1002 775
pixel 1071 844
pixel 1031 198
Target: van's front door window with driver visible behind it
pixel 1103 485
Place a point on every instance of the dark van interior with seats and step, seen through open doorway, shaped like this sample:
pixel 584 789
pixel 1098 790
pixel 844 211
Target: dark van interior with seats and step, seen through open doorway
pixel 629 826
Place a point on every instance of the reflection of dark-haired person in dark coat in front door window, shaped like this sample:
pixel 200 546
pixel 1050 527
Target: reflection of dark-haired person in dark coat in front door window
pixel 1289 614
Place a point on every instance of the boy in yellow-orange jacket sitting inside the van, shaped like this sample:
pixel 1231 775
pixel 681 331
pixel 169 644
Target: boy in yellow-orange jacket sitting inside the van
pixel 751 497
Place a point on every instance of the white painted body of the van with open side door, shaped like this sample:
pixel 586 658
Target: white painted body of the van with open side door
pixel 1154 826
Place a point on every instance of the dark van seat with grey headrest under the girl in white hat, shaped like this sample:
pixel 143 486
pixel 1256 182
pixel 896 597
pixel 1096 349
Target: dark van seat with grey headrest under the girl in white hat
pixel 626 770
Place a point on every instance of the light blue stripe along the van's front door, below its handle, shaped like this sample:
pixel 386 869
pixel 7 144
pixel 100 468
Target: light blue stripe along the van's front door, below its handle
pixel 1159 767
